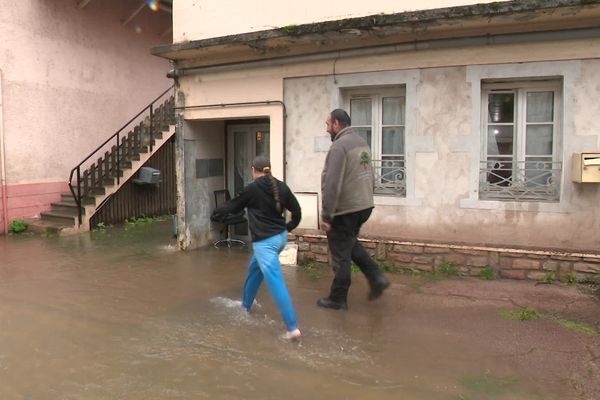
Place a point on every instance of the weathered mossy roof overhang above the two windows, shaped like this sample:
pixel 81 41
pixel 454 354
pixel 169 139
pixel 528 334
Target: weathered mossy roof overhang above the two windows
pixel 387 29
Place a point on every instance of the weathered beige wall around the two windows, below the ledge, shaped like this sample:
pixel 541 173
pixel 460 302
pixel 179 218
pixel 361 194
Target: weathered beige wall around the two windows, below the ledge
pixel 443 138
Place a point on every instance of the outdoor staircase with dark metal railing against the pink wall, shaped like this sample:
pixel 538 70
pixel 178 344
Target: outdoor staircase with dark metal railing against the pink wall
pixel 99 175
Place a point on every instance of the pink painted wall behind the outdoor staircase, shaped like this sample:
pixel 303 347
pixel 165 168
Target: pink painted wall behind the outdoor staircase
pixel 70 78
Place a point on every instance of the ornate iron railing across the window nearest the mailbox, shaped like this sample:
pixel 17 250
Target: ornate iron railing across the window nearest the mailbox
pixel 520 180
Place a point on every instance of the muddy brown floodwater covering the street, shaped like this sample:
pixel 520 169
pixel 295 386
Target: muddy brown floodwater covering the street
pixel 120 314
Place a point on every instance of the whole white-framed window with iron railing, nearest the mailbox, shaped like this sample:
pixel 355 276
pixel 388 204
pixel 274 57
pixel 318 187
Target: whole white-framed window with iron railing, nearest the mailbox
pixel 521 152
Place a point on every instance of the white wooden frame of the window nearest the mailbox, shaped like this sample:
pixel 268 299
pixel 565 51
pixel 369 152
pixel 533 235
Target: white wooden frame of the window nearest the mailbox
pixel 520 89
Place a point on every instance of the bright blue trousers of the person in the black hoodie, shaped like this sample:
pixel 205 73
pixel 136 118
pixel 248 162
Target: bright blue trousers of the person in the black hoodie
pixel 264 264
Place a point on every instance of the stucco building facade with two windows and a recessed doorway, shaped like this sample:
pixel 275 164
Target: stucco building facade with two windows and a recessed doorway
pixel 475 114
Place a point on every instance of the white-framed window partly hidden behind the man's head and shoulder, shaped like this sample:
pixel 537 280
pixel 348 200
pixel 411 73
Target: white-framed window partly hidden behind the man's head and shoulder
pixel 379 117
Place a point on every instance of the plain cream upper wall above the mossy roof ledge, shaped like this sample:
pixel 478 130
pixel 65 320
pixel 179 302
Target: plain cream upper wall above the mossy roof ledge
pixel 195 20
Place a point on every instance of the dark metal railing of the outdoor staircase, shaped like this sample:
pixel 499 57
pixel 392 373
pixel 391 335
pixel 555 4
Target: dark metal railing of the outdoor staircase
pixel 108 166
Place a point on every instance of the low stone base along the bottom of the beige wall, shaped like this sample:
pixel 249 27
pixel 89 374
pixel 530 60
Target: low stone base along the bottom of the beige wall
pixel 509 263
